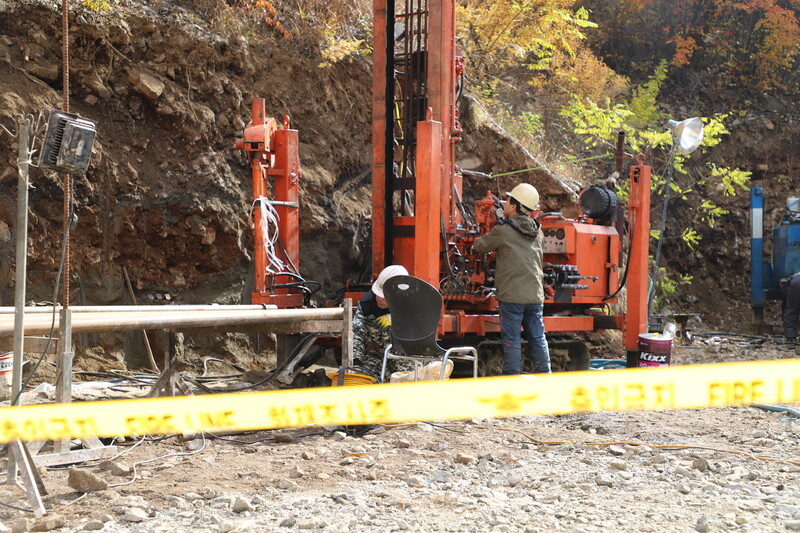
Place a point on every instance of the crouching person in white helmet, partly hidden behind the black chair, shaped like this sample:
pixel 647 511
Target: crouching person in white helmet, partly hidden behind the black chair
pixel 371 322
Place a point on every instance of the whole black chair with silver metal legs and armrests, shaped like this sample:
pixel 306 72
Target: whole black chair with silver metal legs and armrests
pixel 416 307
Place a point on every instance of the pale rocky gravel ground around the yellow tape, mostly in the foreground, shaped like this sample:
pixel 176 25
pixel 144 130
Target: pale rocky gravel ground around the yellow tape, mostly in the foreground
pixel 729 469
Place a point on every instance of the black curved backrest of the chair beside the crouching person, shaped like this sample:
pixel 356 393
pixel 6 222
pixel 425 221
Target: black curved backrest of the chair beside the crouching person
pixel 416 307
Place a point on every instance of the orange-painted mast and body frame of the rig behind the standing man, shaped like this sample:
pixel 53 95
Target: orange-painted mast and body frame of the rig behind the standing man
pixel 416 241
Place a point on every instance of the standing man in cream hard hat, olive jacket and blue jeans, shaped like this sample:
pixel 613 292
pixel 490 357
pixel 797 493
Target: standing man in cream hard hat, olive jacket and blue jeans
pixel 519 279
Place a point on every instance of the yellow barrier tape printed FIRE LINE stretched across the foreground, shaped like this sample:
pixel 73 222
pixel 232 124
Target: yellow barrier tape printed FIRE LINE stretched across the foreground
pixel 771 382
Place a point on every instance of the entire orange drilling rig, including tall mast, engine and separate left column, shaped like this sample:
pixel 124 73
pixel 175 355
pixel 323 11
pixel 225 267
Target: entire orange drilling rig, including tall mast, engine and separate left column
pixel 420 221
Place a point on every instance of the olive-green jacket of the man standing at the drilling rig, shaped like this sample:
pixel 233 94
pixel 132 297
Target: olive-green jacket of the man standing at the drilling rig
pixel 518 243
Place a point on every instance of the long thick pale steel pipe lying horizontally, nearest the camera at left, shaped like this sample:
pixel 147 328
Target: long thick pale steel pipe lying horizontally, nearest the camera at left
pixel 99 322
